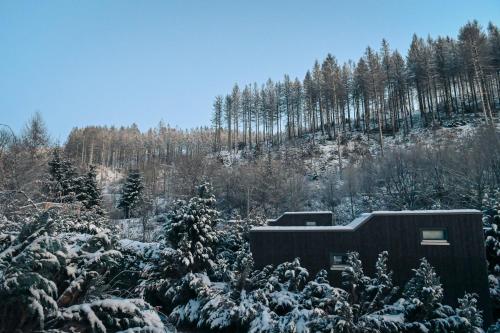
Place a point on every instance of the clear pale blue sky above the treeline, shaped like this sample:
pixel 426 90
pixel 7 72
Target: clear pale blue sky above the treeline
pixel 118 62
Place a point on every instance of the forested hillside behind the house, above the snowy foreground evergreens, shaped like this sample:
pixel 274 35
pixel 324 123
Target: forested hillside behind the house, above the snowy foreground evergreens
pixel 439 81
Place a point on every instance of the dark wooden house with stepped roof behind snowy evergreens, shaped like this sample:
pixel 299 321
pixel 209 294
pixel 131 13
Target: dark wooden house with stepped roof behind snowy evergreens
pixel 451 240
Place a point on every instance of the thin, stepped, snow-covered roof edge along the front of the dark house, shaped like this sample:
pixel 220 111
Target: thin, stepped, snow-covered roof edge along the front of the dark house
pixel 363 218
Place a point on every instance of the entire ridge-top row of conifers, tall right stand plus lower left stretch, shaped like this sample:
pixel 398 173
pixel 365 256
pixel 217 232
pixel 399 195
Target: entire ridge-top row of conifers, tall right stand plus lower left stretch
pixel 381 93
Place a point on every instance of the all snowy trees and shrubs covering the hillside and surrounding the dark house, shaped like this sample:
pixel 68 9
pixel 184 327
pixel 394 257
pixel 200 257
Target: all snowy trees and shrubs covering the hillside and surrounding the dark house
pixel 385 132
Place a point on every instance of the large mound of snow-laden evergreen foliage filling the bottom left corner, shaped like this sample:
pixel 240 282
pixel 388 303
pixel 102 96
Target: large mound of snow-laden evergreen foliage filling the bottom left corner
pixel 54 278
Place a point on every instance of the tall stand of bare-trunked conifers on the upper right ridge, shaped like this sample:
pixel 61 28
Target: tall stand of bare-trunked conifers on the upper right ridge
pixel 382 92
